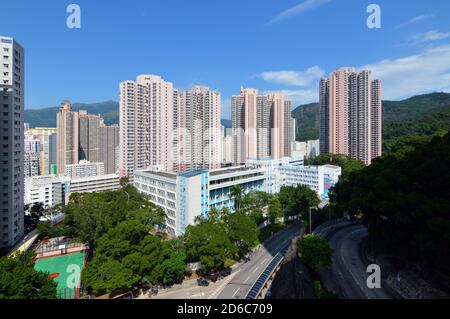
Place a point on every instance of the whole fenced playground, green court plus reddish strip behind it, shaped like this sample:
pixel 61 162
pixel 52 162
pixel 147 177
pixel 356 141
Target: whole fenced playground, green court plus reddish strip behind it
pixel 63 260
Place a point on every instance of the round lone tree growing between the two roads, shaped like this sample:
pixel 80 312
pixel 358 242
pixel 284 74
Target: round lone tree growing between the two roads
pixel 315 252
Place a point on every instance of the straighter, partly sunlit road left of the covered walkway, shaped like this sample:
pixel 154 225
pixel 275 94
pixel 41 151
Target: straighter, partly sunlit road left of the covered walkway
pixel 248 273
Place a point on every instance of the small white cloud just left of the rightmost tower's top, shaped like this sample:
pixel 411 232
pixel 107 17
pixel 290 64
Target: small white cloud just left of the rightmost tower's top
pixel 294 78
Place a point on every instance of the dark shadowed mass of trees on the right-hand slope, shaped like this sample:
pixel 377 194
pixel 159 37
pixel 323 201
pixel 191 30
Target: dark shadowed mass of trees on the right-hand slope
pixel 404 201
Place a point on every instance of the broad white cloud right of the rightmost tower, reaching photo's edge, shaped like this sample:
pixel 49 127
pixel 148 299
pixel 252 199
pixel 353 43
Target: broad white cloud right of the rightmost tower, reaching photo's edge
pixel 428 71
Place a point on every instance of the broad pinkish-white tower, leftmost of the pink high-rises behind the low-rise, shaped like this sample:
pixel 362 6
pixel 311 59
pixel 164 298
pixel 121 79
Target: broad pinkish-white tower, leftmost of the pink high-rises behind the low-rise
pixel 146 124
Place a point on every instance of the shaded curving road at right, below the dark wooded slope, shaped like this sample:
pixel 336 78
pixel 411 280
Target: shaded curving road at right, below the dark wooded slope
pixel 348 276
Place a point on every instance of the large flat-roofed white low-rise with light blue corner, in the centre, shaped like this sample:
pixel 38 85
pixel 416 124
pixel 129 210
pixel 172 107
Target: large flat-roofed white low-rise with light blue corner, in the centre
pixel 191 194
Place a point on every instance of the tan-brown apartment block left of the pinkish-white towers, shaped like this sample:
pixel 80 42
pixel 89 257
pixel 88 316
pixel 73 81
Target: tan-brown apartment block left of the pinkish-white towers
pixel 83 136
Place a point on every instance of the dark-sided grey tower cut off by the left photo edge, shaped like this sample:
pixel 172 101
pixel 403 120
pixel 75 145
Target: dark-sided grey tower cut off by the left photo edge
pixel 12 79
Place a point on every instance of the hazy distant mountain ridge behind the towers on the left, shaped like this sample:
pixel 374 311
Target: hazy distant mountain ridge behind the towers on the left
pixel 109 110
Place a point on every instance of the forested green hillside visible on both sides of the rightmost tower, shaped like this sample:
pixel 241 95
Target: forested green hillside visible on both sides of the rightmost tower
pixel 420 115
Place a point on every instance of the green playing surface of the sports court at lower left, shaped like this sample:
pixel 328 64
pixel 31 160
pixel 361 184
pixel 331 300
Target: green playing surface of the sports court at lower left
pixel 58 268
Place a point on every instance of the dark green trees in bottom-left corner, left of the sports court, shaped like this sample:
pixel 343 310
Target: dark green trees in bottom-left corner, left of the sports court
pixel 19 279
